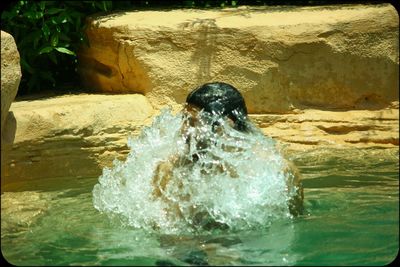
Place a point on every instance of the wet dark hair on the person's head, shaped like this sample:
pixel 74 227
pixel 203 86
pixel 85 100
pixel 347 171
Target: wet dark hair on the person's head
pixel 221 99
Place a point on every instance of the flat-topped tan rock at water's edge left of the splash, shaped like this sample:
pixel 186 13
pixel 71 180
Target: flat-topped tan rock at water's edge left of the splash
pixel 72 136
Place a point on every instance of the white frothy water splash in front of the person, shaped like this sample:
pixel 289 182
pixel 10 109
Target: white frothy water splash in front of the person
pixel 175 182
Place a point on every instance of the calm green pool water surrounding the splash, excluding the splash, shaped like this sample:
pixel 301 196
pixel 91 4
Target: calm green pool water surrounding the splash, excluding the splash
pixel 351 218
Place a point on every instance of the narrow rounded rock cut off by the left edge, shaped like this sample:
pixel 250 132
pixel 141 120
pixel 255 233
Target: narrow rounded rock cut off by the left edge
pixel 10 74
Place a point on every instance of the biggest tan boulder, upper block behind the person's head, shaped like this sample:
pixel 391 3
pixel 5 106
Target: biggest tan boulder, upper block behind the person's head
pixel 281 58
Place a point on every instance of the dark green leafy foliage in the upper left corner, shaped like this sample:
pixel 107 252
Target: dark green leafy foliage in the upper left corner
pixel 48 34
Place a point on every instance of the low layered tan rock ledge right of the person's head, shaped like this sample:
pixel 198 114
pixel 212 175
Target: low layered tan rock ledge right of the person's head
pixel 340 129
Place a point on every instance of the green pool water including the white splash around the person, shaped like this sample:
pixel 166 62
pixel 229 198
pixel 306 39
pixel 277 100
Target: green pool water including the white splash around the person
pixel 351 206
